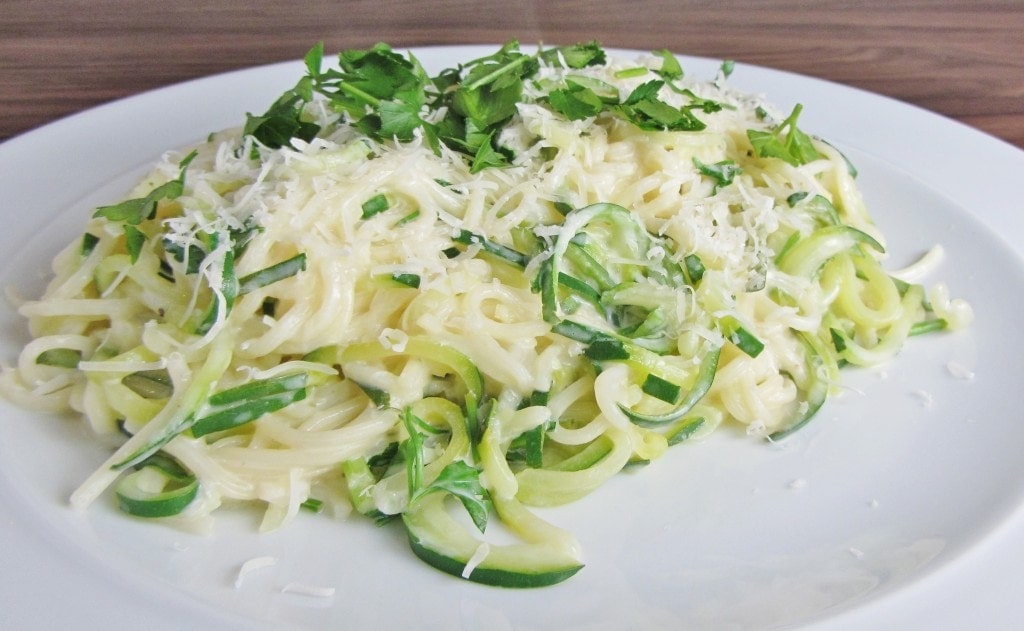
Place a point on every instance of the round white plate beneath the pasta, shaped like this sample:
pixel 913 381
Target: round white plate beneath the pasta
pixel 898 506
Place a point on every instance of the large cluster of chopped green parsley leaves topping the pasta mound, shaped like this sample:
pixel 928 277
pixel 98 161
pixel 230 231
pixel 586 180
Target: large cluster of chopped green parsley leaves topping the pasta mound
pixel 390 97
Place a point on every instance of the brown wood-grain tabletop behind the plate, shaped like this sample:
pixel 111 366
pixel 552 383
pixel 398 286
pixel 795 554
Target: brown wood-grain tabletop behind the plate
pixel 963 59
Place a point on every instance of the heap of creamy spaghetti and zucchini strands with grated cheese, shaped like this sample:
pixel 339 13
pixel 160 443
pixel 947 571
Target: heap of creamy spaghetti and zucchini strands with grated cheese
pixel 358 321
